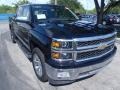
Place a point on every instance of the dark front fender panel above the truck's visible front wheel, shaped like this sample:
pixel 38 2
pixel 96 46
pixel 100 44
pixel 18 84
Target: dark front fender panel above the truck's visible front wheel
pixel 41 41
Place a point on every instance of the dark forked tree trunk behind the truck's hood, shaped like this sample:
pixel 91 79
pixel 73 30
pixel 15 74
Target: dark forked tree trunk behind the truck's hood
pixel 101 8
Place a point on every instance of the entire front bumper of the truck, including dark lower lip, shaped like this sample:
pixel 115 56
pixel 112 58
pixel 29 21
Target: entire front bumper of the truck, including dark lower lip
pixel 75 73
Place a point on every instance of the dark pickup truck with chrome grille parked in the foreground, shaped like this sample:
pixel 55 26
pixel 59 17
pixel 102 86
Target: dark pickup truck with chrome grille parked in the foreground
pixel 63 49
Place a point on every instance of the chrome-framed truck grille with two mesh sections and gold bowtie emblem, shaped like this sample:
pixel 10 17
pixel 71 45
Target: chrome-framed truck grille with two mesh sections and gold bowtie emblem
pixel 93 47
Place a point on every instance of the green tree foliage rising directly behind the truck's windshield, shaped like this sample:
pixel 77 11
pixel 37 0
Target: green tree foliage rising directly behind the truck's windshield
pixel 74 5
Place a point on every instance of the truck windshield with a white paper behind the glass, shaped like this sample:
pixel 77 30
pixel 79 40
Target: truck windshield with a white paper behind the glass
pixel 53 12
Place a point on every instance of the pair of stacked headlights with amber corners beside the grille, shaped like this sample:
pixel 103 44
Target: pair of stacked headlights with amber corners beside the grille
pixel 58 48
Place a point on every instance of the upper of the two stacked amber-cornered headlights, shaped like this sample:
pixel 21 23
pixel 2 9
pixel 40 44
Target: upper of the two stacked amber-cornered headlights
pixel 61 45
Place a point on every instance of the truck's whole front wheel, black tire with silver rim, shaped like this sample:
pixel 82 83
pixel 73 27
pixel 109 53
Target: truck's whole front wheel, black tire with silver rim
pixel 38 61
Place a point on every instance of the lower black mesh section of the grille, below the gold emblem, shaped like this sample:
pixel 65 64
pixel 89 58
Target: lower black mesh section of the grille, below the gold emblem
pixel 94 53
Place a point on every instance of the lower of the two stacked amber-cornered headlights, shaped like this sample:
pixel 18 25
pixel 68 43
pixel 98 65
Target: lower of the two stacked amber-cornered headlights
pixel 61 56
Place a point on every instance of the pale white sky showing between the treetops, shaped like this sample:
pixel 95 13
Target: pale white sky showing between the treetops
pixel 87 4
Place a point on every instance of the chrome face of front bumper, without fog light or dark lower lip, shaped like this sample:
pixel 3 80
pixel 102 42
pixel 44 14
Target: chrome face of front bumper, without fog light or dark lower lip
pixel 76 73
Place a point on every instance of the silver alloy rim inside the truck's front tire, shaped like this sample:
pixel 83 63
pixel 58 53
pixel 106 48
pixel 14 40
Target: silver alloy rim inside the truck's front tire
pixel 37 65
